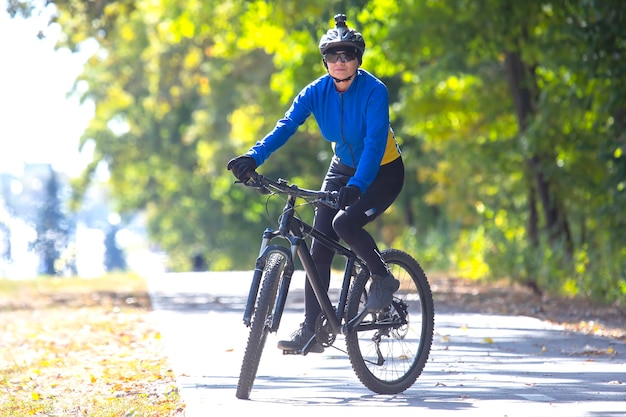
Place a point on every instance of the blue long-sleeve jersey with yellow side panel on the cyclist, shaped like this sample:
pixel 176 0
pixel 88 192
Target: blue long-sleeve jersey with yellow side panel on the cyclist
pixel 355 121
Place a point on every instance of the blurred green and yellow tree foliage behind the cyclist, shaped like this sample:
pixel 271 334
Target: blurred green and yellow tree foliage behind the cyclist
pixel 511 117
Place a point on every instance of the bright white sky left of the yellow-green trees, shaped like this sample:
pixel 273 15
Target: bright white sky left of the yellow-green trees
pixel 39 123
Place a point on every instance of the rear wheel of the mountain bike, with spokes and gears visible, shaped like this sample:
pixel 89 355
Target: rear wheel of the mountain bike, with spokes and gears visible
pixel 388 350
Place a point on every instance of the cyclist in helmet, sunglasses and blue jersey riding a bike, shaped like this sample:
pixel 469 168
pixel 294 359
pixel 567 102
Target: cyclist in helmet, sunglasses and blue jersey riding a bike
pixel 351 107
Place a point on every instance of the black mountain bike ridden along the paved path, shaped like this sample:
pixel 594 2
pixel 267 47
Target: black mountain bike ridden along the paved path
pixel 387 350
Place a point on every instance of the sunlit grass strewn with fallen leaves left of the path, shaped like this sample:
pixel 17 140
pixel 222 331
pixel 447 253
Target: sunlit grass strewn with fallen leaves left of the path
pixel 82 347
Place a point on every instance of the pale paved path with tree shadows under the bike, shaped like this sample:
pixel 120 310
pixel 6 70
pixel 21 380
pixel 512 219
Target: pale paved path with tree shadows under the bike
pixel 480 365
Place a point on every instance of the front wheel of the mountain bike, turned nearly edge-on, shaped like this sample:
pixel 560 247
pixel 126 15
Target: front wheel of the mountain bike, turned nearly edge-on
pixel 261 322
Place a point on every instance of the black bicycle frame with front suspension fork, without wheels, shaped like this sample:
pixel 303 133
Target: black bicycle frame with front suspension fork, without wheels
pixel 295 231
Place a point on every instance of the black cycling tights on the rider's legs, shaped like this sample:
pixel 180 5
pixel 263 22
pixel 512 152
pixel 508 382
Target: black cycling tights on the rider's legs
pixel 348 225
